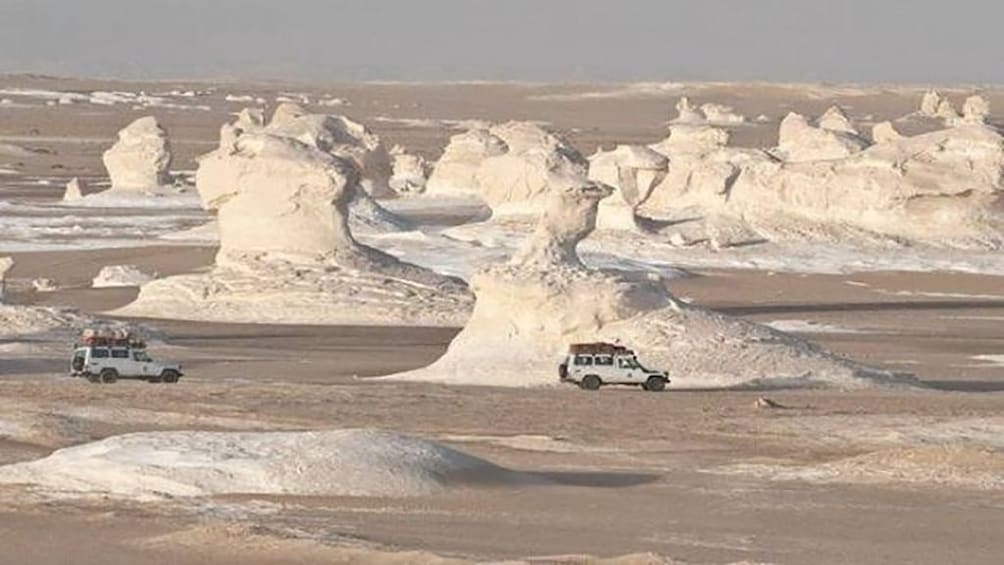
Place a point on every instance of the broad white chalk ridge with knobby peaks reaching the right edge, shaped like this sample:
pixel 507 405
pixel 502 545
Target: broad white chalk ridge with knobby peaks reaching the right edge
pixel 825 183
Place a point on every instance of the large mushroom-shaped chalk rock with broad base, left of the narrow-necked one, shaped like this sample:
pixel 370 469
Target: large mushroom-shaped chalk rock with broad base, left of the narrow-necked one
pixel 287 252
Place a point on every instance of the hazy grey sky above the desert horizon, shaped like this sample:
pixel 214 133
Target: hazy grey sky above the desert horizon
pixel 560 41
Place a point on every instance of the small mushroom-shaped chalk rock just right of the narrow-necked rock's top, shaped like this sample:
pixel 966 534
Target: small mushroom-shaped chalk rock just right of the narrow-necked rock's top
pixel 634 171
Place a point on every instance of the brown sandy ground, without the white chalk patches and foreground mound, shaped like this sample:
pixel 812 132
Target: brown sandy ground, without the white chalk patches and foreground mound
pixel 699 477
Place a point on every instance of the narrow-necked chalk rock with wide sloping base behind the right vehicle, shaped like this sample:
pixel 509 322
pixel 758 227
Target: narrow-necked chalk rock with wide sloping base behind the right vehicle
pixel 530 311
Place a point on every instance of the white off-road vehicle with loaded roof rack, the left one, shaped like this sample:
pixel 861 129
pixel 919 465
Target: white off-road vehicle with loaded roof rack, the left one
pixel 107 358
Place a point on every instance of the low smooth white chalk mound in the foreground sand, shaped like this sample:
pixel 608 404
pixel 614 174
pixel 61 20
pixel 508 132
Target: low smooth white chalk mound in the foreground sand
pixel 152 466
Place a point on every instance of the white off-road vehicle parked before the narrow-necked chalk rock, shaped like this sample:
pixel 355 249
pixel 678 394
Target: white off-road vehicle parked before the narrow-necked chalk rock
pixel 593 366
